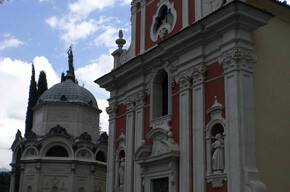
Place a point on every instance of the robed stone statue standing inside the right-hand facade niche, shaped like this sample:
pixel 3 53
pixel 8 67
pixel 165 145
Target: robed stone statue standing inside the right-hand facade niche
pixel 218 155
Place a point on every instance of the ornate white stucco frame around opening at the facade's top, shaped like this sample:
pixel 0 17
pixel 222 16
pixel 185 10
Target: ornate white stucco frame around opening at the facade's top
pixel 164 20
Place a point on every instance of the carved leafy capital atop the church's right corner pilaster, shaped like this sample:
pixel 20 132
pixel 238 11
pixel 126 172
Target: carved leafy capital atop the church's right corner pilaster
pixel 237 59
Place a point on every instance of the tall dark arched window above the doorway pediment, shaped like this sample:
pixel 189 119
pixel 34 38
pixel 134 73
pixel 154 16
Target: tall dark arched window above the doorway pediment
pixel 160 94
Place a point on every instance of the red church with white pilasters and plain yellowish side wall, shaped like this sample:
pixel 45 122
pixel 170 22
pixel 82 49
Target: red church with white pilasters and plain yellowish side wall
pixel 190 99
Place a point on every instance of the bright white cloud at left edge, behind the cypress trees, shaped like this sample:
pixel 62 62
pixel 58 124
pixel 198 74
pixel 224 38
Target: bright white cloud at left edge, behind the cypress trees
pixel 14 79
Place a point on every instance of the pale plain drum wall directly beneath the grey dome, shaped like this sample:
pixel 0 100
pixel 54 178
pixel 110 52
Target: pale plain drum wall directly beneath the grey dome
pixel 77 119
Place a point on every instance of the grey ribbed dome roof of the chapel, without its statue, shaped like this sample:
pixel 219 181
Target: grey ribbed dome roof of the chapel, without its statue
pixel 68 91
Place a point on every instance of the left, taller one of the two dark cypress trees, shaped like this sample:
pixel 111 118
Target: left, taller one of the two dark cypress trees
pixel 31 102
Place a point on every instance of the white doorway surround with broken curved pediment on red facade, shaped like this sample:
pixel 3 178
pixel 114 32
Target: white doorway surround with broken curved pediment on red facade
pixel 159 161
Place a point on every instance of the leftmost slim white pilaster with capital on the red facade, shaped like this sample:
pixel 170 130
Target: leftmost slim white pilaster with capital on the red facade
pixel 112 112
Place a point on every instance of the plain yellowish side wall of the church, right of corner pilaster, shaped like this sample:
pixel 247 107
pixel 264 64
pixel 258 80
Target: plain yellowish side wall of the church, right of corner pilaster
pixel 271 96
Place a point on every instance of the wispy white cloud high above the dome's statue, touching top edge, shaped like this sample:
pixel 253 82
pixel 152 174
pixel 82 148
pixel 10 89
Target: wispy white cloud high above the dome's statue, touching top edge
pixel 76 24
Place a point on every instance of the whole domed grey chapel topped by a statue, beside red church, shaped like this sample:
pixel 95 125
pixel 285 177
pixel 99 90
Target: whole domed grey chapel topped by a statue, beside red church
pixel 64 151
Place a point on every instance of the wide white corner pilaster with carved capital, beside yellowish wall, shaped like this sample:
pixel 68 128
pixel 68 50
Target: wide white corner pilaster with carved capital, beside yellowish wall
pixel 240 155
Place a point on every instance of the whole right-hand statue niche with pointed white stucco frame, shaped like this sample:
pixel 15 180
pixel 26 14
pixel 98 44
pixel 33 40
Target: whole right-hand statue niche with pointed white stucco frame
pixel 215 146
